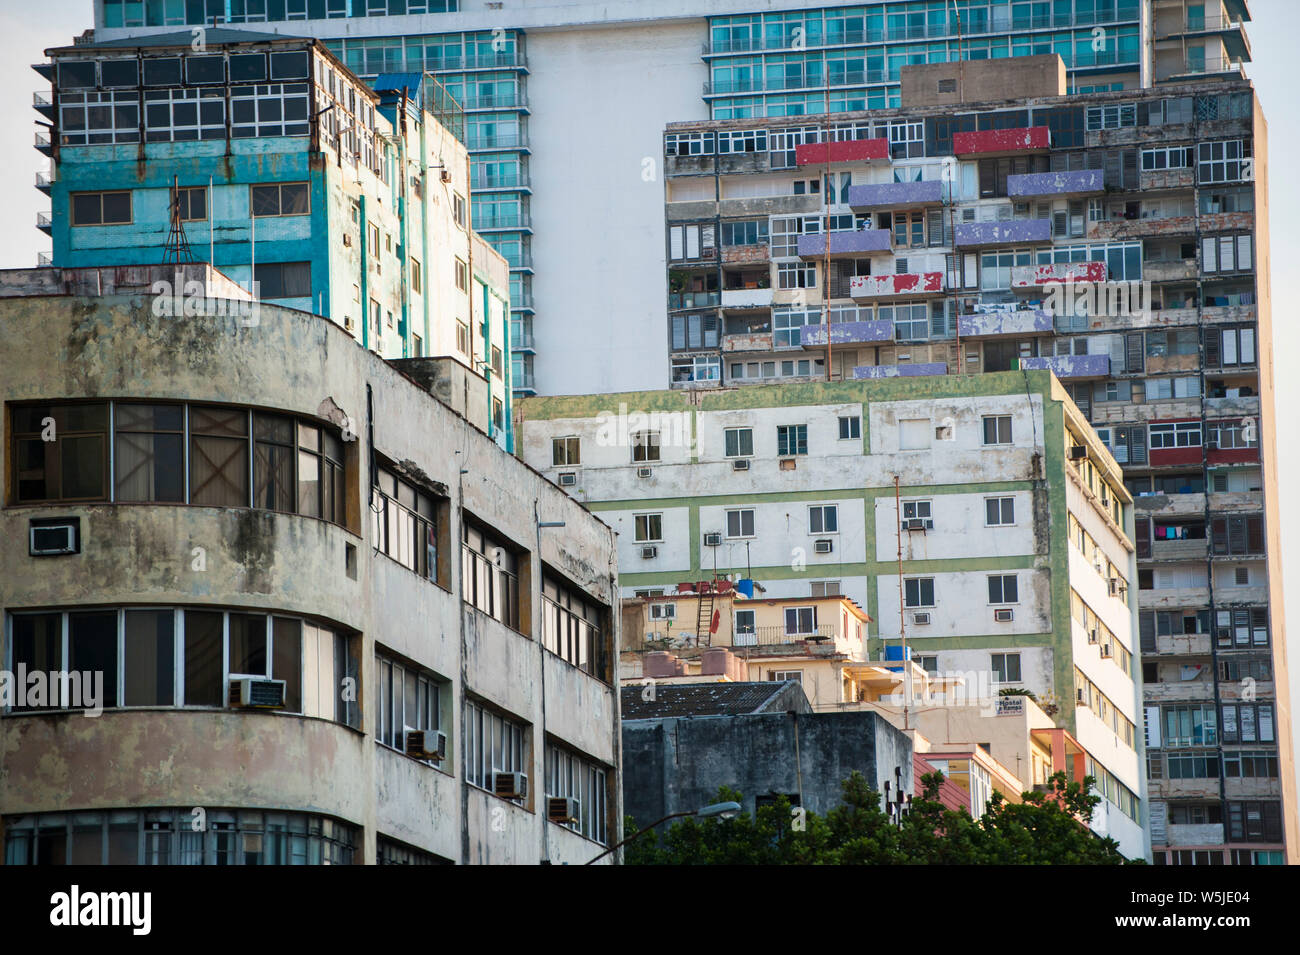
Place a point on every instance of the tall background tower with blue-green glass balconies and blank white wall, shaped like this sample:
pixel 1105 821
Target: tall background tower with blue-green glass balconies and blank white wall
pixel 566 102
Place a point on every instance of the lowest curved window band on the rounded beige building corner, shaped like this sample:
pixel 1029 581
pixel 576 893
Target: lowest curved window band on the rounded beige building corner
pixel 167 837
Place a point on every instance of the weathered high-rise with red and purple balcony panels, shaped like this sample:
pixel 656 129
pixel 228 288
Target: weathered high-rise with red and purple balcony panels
pixel 1117 238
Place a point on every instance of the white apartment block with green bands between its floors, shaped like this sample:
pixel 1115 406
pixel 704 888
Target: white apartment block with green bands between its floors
pixel 928 501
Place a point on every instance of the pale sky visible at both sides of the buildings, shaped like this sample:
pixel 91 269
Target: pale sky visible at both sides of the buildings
pixel 28 29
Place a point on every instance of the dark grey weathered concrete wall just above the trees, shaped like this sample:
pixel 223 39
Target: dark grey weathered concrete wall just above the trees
pixel 681 763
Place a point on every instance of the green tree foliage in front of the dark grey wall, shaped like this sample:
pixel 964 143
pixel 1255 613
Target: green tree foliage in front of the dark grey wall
pixel 1046 830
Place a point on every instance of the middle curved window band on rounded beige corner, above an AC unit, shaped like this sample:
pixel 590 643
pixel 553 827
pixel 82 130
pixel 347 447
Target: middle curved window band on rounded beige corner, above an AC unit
pixel 211 646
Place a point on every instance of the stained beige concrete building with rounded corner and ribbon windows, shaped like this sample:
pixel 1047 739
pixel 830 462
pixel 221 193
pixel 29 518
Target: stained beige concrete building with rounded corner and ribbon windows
pixel 319 636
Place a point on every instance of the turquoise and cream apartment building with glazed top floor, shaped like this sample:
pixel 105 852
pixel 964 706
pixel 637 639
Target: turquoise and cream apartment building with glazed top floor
pixel 283 168
